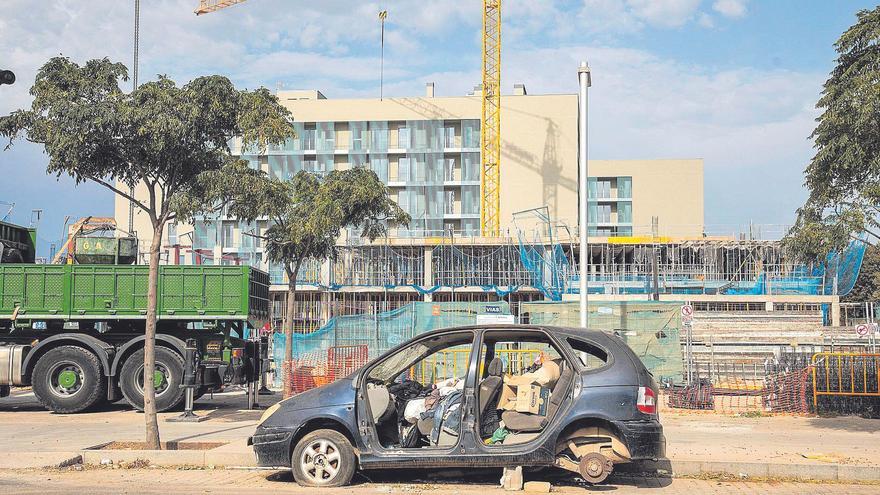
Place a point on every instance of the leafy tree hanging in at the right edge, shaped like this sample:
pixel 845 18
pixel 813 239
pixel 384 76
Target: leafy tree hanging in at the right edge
pixel 843 177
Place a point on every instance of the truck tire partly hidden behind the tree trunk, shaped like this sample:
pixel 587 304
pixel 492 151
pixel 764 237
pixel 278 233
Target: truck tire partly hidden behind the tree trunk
pixel 169 374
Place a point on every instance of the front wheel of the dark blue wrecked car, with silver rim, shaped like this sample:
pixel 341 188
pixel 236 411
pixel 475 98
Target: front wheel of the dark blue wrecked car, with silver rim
pixel 323 458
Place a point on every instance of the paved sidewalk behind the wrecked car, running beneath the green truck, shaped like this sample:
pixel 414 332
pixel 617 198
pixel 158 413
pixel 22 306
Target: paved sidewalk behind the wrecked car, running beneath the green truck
pixel 697 442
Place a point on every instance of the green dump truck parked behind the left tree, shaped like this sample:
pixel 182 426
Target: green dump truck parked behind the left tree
pixel 75 332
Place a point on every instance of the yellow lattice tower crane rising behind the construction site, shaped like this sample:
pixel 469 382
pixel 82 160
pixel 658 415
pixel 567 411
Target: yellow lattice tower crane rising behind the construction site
pixel 490 132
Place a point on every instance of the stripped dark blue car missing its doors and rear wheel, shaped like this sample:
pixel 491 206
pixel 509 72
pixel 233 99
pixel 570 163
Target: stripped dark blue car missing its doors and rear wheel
pixel 493 396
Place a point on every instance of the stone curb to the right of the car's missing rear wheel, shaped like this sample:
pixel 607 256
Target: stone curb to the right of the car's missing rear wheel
pixel 833 472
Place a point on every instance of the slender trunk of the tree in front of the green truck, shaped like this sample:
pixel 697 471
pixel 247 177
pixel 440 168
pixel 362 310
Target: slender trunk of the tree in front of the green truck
pixel 152 424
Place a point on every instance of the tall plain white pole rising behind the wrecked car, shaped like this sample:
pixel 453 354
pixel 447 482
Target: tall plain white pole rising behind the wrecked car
pixel 584 80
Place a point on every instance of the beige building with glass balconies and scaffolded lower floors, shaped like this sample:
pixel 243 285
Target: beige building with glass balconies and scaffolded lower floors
pixel 648 236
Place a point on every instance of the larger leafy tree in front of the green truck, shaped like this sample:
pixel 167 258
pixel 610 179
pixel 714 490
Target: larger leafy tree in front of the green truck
pixel 165 139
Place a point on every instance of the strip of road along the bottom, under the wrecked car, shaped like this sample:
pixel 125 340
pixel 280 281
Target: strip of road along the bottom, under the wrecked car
pixel 171 482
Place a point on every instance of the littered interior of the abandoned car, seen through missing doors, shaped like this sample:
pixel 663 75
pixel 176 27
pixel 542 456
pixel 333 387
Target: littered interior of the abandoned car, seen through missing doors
pixel 414 396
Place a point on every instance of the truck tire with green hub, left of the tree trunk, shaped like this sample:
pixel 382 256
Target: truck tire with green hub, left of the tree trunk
pixel 68 379
